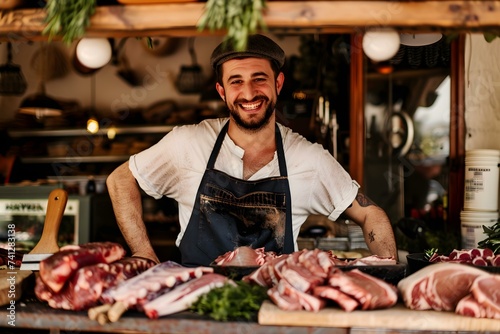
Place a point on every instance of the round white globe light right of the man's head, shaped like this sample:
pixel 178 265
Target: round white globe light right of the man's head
pixel 381 44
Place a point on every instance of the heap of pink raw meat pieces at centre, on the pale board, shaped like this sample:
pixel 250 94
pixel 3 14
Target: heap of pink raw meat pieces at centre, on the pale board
pixel 308 279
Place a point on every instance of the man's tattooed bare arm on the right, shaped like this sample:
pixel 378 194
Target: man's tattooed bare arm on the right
pixel 376 226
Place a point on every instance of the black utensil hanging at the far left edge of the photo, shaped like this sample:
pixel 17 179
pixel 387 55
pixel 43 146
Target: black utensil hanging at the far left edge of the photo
pixel 12 80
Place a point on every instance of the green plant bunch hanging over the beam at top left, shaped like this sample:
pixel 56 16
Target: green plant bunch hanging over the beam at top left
pixel 68 18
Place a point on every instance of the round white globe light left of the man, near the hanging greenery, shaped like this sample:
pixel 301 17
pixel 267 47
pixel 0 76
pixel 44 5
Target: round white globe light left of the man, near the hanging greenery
pixel 93 52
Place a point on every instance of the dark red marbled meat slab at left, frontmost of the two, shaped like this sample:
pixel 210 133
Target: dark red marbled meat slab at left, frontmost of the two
pixel 85 287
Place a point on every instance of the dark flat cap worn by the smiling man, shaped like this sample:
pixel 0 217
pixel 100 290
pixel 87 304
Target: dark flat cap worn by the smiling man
pixel 258 46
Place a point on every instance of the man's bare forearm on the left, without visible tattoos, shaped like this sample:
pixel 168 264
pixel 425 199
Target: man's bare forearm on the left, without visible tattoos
pixel 127 205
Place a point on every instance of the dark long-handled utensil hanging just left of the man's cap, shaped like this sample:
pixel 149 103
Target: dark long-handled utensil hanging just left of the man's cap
pixel 190 79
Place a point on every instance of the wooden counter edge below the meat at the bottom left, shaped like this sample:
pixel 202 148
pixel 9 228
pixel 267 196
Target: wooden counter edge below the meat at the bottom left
pixel 31 314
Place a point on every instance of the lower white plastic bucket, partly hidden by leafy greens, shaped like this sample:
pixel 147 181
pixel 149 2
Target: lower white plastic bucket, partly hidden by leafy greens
pixel 471 225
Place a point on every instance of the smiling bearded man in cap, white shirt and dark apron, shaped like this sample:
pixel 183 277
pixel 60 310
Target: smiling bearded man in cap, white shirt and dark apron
pixel 244 180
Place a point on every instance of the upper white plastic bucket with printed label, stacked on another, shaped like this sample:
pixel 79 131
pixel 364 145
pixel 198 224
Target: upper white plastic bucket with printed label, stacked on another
pixel 481 180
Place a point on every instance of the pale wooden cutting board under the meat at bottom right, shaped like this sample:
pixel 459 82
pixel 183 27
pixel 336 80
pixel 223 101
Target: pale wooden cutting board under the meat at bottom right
pixel 397 317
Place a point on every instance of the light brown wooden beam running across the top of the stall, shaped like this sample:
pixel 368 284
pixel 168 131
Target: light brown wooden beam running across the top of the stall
pixel 180 19
